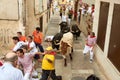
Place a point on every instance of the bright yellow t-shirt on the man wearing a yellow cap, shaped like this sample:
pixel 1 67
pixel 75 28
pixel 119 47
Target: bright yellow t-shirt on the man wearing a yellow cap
pixel 47 65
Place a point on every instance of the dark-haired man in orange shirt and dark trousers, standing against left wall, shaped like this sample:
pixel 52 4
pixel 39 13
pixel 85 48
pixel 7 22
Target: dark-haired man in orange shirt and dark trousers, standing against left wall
pixel 38 37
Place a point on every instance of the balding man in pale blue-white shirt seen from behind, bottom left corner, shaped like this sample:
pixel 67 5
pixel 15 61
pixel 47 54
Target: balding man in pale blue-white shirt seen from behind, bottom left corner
pixel 8 70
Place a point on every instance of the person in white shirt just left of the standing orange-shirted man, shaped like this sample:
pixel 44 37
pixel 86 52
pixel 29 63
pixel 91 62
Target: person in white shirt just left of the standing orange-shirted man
pixel 31 45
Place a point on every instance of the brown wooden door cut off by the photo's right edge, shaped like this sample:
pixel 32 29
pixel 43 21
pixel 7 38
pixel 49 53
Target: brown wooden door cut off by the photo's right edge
pixel 114 46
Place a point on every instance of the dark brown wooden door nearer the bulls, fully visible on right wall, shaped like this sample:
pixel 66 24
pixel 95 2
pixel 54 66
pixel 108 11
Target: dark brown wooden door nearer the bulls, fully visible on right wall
pixel 103 18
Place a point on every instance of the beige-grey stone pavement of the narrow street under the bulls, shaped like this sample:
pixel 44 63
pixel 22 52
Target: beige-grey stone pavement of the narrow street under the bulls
pixel 78 69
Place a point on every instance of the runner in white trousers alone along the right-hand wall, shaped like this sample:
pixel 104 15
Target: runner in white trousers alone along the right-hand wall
pixel 90 44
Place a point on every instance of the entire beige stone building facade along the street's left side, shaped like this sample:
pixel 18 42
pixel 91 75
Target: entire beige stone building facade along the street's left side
pixel 24 16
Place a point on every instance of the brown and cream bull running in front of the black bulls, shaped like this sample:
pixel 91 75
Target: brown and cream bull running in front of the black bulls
pixel 66 46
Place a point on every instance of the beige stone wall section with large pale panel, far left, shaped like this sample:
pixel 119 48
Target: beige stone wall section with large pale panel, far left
pixel 11 21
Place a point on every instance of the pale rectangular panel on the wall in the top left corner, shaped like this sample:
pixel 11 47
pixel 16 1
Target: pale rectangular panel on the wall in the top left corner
pixel 9 10
